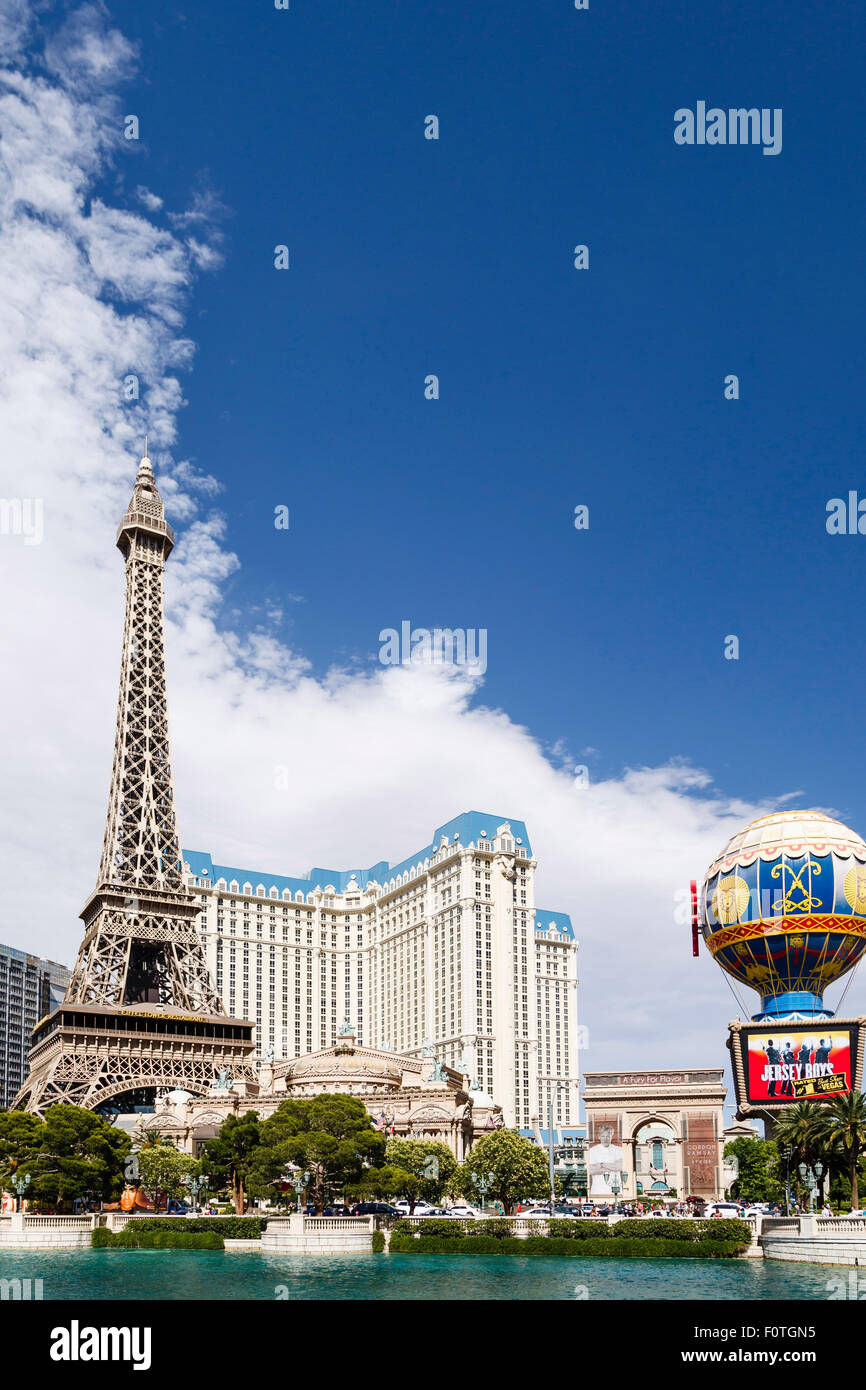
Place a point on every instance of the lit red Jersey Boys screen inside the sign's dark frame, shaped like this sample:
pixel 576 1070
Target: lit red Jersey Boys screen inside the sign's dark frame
pixel 796 1064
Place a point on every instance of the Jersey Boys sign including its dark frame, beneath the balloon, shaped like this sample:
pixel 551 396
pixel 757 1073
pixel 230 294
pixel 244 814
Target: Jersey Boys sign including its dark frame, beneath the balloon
pixel 782 1064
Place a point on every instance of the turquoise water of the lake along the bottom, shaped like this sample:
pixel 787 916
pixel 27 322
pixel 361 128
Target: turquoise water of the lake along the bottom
pixel 209 1274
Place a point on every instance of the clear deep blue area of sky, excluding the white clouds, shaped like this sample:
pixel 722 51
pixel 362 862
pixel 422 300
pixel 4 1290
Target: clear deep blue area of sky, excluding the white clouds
pixel 557 387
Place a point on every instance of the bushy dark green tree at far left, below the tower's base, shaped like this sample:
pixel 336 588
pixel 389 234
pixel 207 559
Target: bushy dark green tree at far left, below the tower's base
pixel 67 1154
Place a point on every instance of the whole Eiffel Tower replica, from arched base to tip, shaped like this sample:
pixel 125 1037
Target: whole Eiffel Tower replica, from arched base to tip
pixel 141 1014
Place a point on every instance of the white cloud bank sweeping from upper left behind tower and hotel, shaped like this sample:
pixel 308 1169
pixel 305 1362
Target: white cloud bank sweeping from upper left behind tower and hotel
pixel 377 757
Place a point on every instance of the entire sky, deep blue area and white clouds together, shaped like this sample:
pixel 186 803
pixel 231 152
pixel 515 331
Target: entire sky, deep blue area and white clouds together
pixel 558 387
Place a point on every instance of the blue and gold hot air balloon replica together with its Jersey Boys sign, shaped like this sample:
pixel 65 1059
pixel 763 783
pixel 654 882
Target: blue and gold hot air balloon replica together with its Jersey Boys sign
pixel 783 911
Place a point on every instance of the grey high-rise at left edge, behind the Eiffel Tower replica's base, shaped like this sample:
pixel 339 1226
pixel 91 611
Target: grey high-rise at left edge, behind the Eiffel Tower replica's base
pixel 30 989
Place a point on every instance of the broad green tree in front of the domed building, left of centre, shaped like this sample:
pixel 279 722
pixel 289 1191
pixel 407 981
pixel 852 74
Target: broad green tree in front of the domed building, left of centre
pixel 329 1136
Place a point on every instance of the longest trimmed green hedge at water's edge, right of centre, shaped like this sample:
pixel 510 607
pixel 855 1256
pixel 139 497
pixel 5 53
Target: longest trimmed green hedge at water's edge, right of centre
pixel 616 1248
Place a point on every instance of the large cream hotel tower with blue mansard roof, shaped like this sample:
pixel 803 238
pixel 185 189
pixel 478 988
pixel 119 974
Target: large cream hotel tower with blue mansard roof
pixel 444 953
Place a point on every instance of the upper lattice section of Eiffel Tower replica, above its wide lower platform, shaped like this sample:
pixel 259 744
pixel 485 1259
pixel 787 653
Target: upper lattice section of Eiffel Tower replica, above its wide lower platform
pixel 141 943
